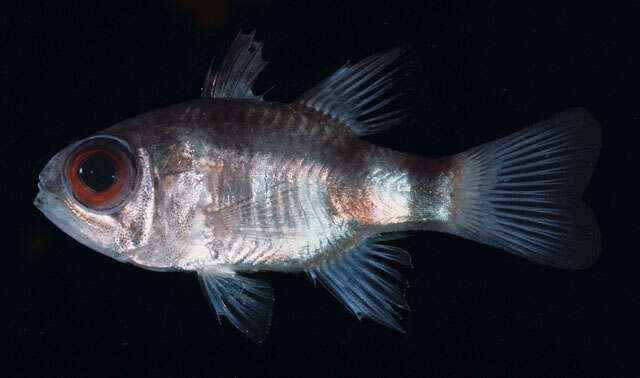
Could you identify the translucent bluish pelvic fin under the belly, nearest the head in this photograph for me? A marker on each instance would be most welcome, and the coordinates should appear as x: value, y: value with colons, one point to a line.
x: 246, y: 302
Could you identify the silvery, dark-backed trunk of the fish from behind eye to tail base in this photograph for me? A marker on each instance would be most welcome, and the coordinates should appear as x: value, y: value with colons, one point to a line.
x: 308, y: 188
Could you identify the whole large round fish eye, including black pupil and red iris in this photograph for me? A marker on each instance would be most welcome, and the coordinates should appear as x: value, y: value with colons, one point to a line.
x: 100, y: 173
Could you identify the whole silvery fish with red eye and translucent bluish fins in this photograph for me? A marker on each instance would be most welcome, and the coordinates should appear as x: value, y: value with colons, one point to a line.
x: 230, y: 184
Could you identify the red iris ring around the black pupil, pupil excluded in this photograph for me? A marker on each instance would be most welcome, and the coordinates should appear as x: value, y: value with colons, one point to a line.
x: 114, y: 195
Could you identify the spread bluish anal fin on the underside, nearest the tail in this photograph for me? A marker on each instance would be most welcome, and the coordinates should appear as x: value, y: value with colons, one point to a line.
x: 364, y: 281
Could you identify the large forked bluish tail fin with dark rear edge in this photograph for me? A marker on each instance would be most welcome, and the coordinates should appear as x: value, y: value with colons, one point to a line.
x: 522, y: 193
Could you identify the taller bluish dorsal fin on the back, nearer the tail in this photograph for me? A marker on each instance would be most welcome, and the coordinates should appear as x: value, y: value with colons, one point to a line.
x: 355, y: 94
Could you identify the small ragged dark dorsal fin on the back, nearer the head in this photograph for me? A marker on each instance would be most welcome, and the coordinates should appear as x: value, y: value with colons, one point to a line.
x: 239, y: 70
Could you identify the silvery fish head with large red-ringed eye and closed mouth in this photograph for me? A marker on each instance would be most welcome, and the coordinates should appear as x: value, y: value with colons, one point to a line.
x: 100, y: 192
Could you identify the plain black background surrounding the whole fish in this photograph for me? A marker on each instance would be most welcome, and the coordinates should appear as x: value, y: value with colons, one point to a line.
x: 482, y: 71
